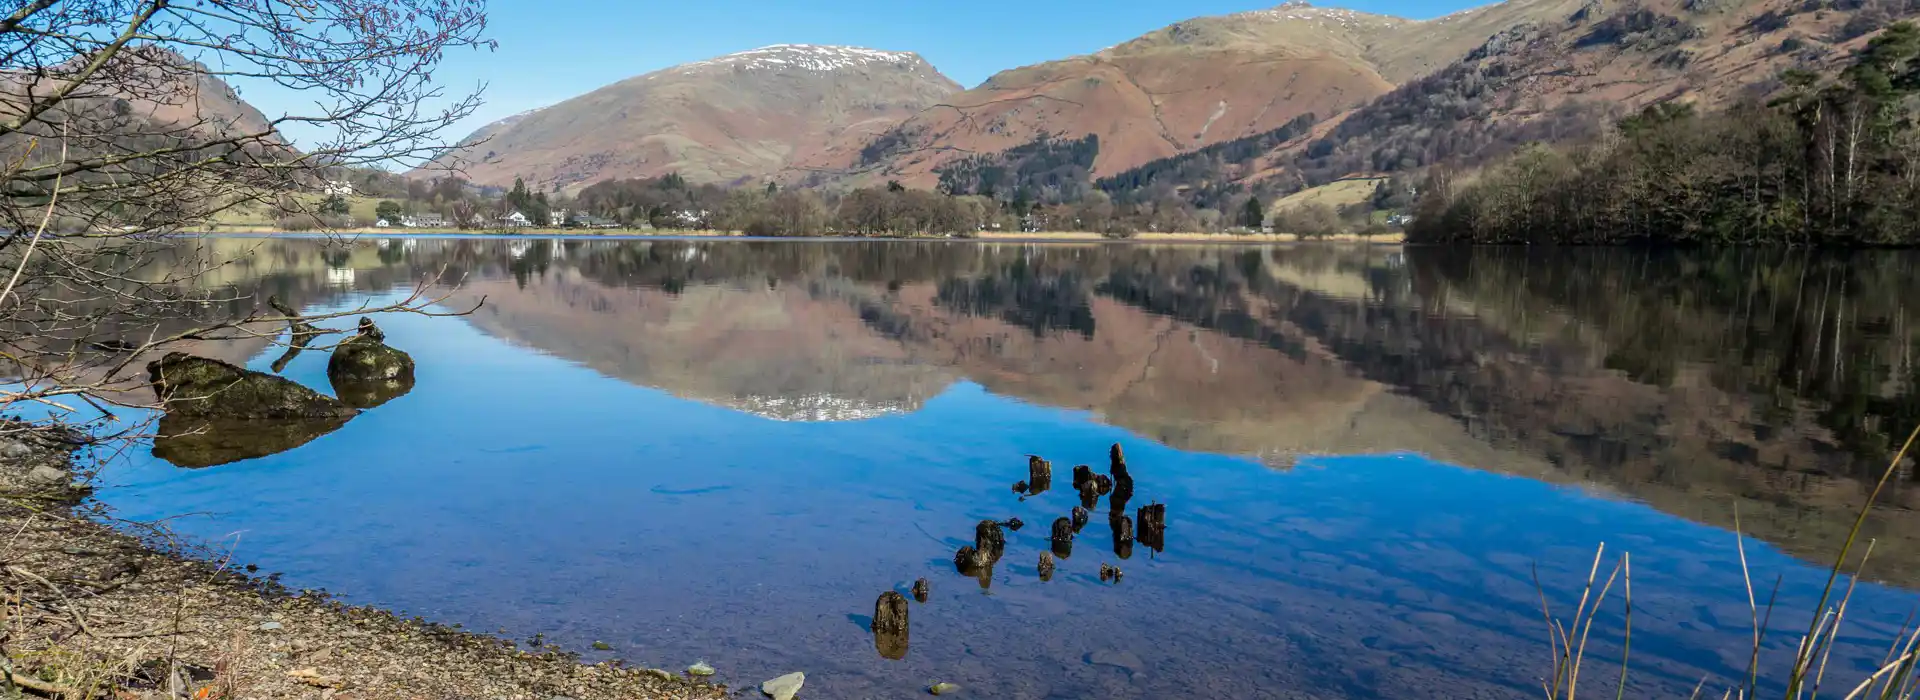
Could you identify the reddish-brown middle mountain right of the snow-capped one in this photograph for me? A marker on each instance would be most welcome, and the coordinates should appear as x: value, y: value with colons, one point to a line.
x: 1191, y: 85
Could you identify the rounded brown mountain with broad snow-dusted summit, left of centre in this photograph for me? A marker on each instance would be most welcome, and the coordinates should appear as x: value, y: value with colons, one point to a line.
x: 734, y: 118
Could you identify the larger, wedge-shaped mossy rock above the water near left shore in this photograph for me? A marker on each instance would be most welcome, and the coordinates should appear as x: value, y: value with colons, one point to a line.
x: 206, y: 388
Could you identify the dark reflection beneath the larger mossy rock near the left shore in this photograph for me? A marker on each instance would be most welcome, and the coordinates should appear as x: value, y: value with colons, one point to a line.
x: 203, y: 442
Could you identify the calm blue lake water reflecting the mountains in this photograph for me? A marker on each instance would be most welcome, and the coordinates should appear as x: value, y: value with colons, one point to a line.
x: 727, y: 450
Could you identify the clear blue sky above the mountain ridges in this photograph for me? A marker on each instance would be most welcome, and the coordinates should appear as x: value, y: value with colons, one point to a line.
x: 552, y: 51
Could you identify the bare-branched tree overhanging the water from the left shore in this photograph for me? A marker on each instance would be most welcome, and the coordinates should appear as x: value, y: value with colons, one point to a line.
x: 110, y: 135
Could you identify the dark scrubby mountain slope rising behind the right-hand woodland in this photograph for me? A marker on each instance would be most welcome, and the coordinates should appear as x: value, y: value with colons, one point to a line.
x: 1570, y: 76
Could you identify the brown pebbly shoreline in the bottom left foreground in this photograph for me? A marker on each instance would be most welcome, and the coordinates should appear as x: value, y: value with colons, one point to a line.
x: 97, y: 613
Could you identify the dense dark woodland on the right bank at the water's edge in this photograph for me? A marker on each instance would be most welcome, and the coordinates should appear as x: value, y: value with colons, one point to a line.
x: 1827, y: 162
